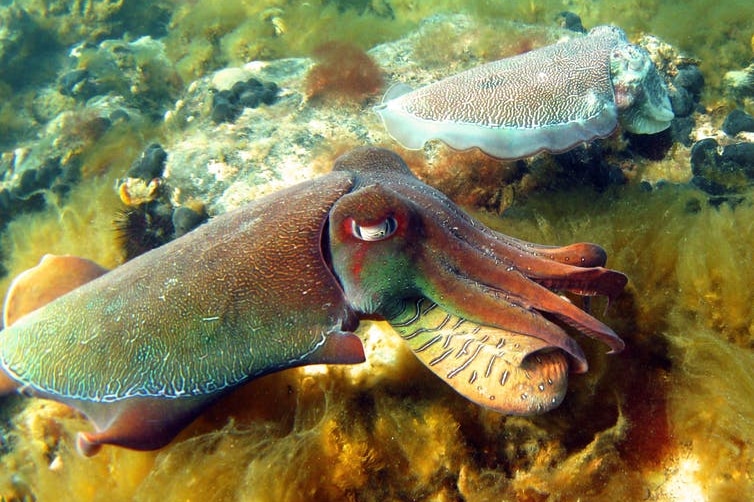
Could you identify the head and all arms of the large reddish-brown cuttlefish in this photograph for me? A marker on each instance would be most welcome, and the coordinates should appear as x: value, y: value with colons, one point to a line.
x: 396, y: 243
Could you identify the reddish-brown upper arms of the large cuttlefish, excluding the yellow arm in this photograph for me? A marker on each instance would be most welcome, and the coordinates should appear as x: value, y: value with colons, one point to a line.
x: 505, y: 277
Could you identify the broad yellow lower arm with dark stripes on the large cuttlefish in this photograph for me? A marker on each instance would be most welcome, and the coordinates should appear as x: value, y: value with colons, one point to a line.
x: 500, y: 369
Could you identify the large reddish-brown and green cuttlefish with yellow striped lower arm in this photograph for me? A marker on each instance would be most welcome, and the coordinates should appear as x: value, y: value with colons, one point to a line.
x: 282, y: 282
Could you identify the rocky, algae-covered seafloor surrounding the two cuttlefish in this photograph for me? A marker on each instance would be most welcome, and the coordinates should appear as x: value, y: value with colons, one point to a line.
x: 87, y: 87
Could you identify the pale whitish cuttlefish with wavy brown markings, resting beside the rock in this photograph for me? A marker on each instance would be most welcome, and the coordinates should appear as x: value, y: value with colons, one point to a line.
x: 550, y: 99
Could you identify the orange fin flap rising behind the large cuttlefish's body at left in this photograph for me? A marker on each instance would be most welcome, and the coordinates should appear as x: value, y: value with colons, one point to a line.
x: 54, y: 276
